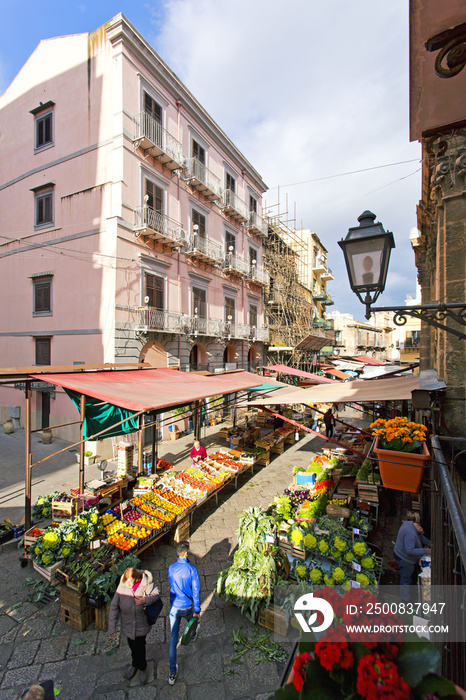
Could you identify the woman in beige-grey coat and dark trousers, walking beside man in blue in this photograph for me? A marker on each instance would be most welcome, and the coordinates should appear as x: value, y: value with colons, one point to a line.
x: 135, y: 590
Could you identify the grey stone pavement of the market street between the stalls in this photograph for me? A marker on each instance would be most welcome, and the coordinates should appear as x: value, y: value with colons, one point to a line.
x: 35, y: 645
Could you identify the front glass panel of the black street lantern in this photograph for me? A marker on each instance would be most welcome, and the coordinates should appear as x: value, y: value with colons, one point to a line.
x: 365, y: 260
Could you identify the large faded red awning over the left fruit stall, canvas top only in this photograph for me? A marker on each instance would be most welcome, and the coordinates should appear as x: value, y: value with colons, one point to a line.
x: 151, y: 389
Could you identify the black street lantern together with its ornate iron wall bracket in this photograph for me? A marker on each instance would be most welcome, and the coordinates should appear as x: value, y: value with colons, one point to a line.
x: 367, y: 249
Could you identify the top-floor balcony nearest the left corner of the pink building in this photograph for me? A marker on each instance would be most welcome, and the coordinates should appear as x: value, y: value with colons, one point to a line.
x: 152, y: 137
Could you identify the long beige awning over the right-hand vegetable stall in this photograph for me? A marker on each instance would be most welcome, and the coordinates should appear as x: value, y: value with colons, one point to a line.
x: 395, y: 389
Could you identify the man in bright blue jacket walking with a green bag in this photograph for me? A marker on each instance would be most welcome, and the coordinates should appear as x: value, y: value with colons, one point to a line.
x: 184, y: 600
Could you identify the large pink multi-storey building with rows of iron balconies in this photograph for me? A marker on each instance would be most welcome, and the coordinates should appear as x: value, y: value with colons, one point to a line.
x: 131, y: 225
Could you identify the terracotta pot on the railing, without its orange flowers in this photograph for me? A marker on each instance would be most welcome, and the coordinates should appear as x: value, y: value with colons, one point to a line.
x: 402, y: 471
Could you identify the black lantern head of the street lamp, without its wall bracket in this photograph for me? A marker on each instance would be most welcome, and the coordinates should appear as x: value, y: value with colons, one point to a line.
x: 367, y: 249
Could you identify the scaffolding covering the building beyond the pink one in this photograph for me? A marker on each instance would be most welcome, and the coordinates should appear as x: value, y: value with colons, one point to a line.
x: 289, y: 306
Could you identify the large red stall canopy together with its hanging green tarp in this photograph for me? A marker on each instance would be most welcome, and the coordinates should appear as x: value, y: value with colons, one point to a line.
x: 115, y: 396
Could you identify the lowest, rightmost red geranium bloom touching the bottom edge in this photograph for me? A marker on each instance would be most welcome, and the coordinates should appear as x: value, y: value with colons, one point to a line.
x: 377, y: 677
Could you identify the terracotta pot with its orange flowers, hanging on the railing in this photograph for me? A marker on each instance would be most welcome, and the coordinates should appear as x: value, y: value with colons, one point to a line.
x: 402, y: 452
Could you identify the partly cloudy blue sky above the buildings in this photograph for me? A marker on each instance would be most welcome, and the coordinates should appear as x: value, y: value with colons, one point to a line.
x: 315, y: 95
